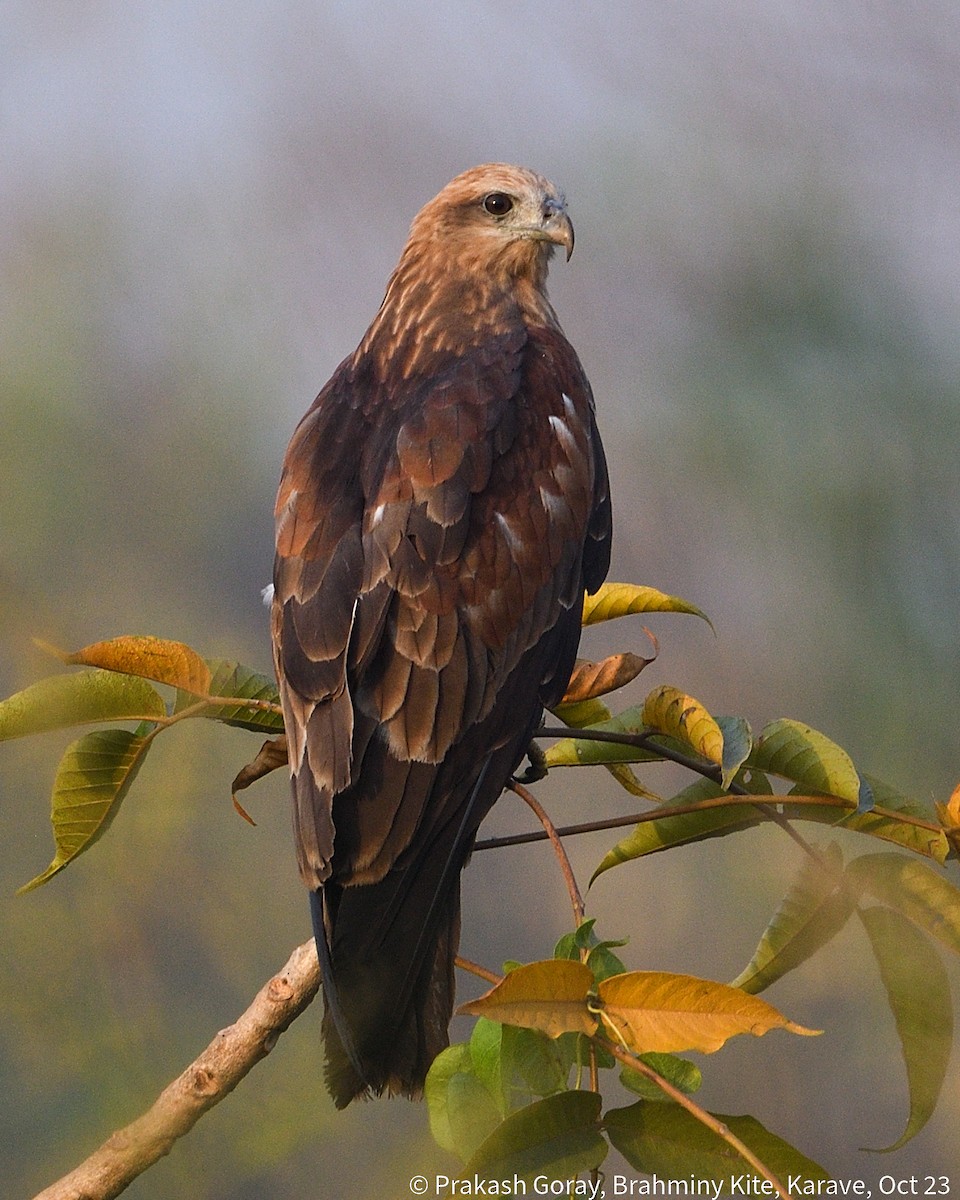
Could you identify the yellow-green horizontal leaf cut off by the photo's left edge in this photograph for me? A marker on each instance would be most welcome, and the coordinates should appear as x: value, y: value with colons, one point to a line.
x: 61, y: 701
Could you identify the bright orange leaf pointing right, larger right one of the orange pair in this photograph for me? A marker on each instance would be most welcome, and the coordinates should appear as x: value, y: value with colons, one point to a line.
x: 653, y: 1011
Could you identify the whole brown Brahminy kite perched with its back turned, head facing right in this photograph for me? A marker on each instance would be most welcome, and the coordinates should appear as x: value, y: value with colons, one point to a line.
x: 442, y: 509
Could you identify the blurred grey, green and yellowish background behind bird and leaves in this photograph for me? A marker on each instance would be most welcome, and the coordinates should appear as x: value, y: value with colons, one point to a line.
x: 201, y: 206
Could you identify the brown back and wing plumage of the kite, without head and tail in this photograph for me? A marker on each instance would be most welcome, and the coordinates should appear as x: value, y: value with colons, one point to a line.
x: 421, y: 556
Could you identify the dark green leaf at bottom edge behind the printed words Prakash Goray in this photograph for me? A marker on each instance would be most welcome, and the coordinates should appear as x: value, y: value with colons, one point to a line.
x: 559, y: 1138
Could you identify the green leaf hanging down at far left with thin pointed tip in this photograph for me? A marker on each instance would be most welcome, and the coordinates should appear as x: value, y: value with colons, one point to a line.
x: 92, y: 781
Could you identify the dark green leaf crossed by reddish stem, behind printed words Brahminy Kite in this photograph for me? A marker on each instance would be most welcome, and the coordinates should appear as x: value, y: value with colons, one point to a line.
x: 669, y: 1142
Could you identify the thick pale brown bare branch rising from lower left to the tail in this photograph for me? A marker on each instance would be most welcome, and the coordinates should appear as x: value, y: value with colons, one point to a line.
x: 233, y: 1054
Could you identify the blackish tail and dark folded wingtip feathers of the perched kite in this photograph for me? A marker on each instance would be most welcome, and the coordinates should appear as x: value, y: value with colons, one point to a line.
x: 389, y: 947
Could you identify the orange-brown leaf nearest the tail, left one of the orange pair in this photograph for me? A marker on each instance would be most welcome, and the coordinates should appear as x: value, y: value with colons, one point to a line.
x: 549, y: 997
